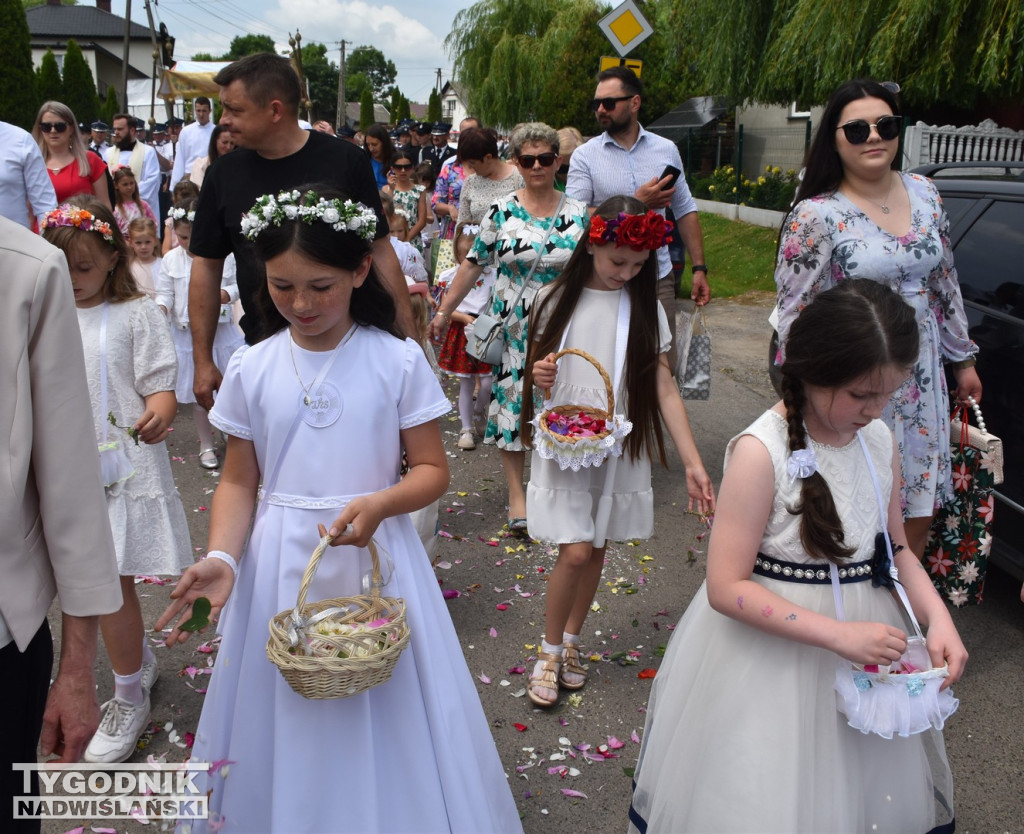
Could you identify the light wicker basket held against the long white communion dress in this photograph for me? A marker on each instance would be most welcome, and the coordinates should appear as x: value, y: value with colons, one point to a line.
x: 323, y: 665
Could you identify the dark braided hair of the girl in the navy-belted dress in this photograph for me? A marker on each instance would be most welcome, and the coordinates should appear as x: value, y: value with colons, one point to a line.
x: 851, y: 330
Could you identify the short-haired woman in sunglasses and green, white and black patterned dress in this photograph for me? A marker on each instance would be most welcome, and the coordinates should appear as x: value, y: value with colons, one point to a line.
x: 535, y: 225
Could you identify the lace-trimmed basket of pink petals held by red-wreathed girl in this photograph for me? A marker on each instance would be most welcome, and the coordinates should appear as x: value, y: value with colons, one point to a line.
x: 578, y: 437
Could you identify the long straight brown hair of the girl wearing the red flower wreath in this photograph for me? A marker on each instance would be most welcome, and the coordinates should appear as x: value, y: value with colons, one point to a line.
x: 642, y: 347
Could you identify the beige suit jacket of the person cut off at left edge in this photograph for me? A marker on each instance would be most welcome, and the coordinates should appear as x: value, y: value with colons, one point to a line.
x: 55, y: 533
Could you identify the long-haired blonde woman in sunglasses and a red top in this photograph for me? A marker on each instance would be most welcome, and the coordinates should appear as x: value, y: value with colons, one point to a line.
x: 73, y: 169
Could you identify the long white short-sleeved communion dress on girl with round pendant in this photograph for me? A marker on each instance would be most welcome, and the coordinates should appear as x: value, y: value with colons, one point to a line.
x: 413, y: 755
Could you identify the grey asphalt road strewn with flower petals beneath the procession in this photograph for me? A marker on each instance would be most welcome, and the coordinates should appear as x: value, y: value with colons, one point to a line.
x: 647, y: 587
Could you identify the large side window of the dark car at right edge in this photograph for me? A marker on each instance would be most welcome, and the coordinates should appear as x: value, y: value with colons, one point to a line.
x: 989, y: 259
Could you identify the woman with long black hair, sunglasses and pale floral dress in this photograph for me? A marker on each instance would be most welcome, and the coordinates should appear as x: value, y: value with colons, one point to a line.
x: 858, y: 216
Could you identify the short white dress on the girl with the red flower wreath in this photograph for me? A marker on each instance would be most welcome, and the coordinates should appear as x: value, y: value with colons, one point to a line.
x: 562, y: 505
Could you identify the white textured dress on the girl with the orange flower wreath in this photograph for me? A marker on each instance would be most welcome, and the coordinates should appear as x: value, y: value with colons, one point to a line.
x: 151, y: 534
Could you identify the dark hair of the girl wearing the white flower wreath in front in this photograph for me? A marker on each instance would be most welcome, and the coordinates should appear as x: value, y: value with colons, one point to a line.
x: 371, y: 305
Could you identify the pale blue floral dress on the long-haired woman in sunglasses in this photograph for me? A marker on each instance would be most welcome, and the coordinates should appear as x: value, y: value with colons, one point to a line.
x: 826, y: 240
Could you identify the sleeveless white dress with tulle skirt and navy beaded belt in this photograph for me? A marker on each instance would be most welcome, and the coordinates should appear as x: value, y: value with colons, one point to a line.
x: 743, y: 733
